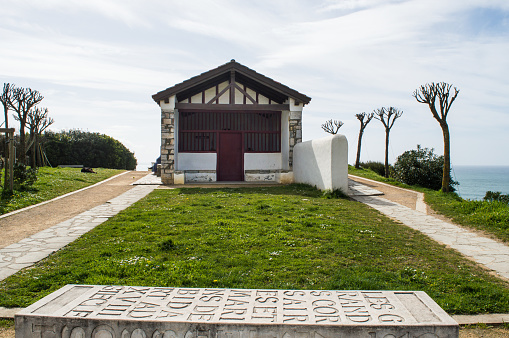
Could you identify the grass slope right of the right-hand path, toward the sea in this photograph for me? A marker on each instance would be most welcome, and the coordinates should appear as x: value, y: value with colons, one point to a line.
x: 491, y: 217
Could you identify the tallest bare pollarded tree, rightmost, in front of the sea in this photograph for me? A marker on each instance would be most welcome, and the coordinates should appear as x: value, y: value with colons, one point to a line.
x: 428, y: 94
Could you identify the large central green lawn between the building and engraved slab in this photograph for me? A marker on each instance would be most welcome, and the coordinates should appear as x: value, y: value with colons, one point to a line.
x: 274, y: 237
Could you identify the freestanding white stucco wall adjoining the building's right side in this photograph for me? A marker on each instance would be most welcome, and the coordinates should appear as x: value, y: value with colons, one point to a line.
x: 322, y: 163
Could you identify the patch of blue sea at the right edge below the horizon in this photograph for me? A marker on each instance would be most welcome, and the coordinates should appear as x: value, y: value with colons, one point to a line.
x: 476, y: 180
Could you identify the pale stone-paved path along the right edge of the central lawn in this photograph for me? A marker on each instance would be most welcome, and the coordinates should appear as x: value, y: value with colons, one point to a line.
x: 483, y: 250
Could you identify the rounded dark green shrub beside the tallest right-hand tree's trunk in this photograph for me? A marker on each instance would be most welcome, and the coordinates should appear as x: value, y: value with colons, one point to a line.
x: 421, y: 167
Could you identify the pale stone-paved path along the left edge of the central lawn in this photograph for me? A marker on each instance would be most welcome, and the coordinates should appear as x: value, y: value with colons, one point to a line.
x: 30, y: 250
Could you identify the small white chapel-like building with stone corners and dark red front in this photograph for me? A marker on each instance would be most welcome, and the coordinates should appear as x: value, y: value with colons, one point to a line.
x: 229, y: 124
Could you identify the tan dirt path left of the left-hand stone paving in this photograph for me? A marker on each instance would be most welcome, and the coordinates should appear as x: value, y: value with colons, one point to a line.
x: 29, y: 222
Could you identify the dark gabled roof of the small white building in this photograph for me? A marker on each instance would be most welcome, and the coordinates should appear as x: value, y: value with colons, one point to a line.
x: 244, y: 75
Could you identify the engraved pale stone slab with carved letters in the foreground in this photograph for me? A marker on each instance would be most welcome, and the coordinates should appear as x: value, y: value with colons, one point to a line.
x: 77, y: 311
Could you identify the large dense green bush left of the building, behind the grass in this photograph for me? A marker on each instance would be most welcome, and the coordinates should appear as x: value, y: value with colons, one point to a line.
x: 88, y: 149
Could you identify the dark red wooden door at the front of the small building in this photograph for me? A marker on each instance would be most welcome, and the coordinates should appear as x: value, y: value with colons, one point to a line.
x: 230, y: 161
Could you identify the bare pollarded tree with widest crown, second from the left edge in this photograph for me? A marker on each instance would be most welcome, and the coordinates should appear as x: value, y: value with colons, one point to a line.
x: 23, y: 100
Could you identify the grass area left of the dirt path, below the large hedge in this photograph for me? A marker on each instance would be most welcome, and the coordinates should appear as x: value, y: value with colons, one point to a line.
x: 51, y: 183
